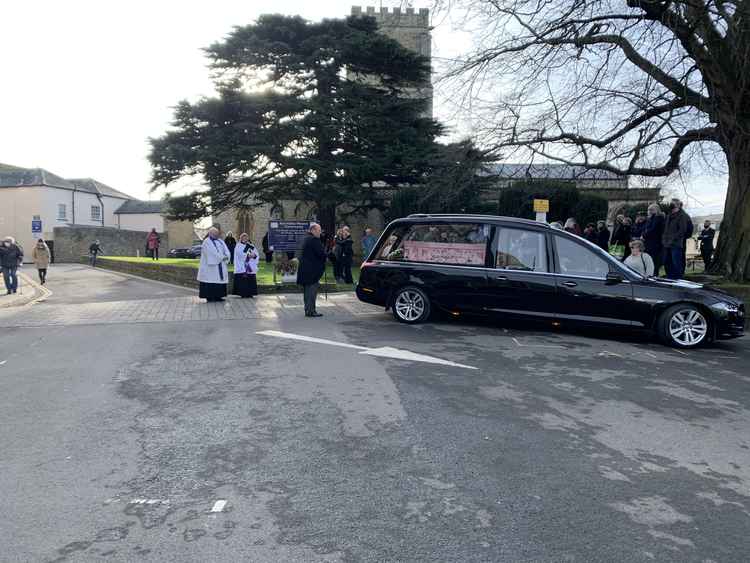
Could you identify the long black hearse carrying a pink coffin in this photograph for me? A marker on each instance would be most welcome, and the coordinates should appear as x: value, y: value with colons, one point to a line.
x: 521, y: 269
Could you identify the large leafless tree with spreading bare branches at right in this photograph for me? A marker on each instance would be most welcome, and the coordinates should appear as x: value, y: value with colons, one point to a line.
x: 635, y: 87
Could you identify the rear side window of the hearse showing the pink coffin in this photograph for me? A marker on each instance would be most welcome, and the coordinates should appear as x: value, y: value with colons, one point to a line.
x: 463, y: 244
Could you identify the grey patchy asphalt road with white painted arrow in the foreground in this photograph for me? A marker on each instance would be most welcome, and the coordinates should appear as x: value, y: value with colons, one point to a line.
x: 202, y: 440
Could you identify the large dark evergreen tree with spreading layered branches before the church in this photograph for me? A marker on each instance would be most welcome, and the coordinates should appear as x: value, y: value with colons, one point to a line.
x: 306, y: 111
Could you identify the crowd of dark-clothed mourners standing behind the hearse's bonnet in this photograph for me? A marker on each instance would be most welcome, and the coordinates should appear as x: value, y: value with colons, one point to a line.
x: 653, y: 240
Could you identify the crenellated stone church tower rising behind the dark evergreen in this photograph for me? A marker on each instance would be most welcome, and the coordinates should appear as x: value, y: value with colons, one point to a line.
x: 410, y: 28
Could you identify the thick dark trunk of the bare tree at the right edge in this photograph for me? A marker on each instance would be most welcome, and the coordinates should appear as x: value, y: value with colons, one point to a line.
x: 733, y: 250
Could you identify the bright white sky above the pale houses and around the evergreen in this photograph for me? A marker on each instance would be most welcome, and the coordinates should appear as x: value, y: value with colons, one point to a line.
x: 85, y: 83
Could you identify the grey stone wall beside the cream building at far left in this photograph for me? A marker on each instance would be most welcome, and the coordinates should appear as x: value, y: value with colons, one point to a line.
x: 72, y: 243
